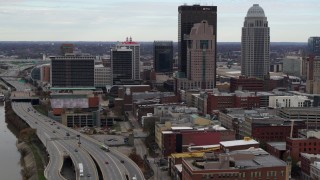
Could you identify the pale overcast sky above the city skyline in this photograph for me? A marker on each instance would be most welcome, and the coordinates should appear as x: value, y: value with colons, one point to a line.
x: 147, y: 20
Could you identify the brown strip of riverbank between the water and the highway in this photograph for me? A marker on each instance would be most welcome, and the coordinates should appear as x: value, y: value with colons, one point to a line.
x: 33, y: 154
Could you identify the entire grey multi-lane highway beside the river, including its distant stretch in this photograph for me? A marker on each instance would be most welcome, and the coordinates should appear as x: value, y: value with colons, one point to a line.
x: 113, y: 165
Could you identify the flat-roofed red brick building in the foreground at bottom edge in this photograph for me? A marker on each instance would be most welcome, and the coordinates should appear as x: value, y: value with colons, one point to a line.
x: 243, y: 164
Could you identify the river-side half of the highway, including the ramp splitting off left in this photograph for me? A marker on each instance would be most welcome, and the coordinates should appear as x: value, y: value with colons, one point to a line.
x: 56, y: 141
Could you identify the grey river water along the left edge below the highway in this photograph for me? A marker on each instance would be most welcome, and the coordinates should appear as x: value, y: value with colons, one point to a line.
x: 9, y: 154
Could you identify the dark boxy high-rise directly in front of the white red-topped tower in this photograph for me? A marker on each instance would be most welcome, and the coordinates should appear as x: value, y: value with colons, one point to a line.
x: 122, y: 64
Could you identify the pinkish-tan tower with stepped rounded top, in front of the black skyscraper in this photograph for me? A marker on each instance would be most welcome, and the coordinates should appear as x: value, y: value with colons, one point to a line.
x: 201, y: 59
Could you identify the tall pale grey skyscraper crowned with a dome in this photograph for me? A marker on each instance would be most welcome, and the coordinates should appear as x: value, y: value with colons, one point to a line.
x: 255, y: 44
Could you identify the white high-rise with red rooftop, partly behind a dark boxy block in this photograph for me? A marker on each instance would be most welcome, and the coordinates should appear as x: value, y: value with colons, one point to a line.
x: 135, y: 47
